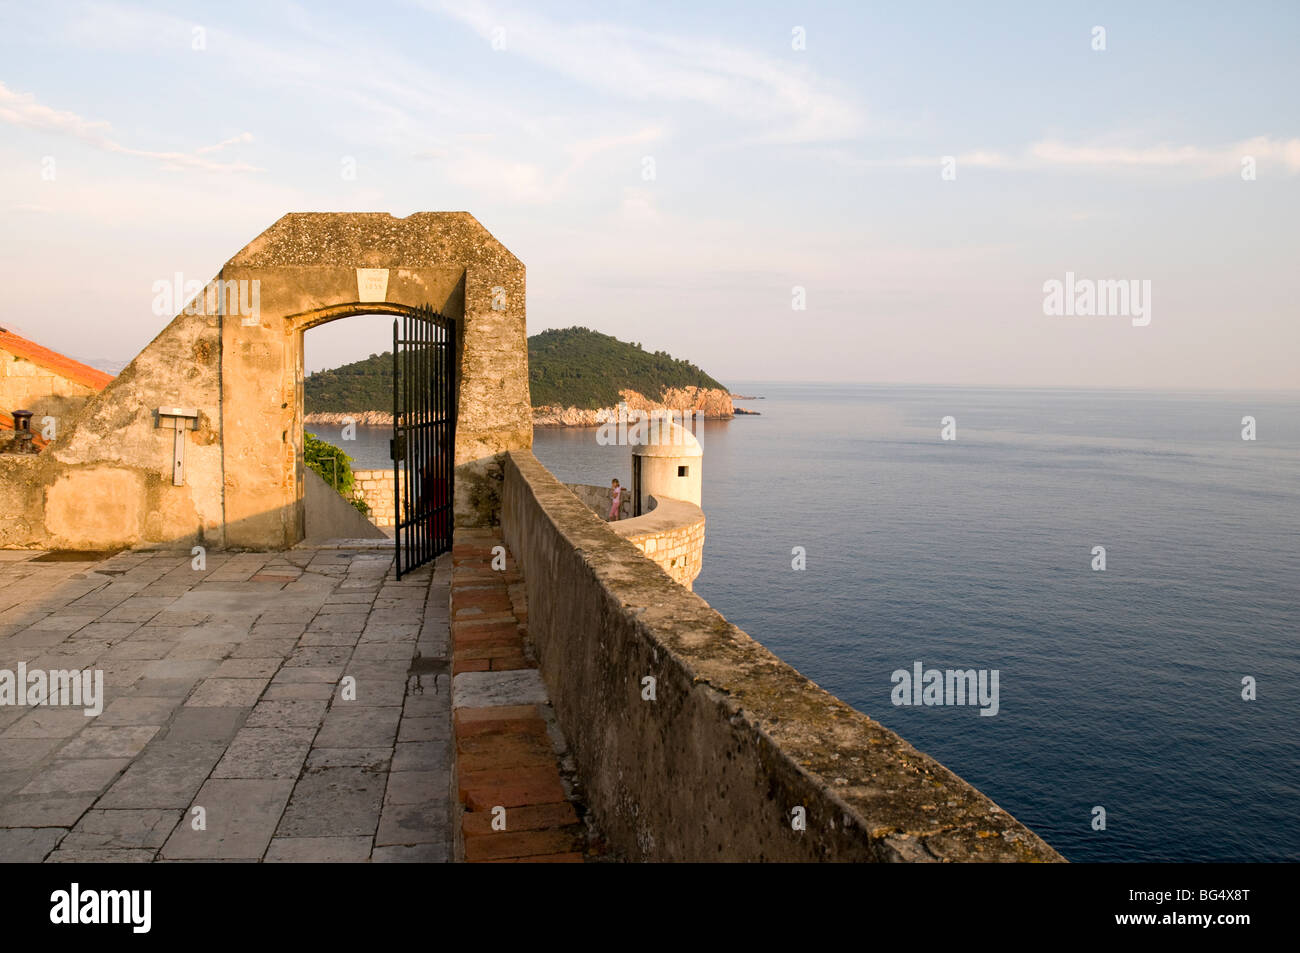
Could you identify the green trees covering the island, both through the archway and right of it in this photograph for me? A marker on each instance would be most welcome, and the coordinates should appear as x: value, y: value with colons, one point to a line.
x: 574, y: 367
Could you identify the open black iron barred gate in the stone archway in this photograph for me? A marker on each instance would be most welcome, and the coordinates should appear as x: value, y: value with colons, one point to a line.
x: 424, y: 439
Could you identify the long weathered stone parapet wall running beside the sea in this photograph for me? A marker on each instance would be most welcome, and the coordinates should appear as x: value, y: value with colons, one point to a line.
x: 694, y: 742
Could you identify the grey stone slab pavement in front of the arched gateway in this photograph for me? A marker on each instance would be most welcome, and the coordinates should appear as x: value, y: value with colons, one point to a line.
x: 301, y: 700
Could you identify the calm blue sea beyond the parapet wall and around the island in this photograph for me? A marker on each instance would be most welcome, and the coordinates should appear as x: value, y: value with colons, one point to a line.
x: 1149, y: 711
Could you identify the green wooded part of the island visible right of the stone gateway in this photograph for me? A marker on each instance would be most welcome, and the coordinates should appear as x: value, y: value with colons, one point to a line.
x: 578, y: 367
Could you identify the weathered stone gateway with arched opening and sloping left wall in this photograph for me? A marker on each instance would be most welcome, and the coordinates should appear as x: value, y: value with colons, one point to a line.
x: 231, y: 365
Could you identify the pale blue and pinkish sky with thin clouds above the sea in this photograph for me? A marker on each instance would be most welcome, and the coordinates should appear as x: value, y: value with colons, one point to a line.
x: 690, y: 175
